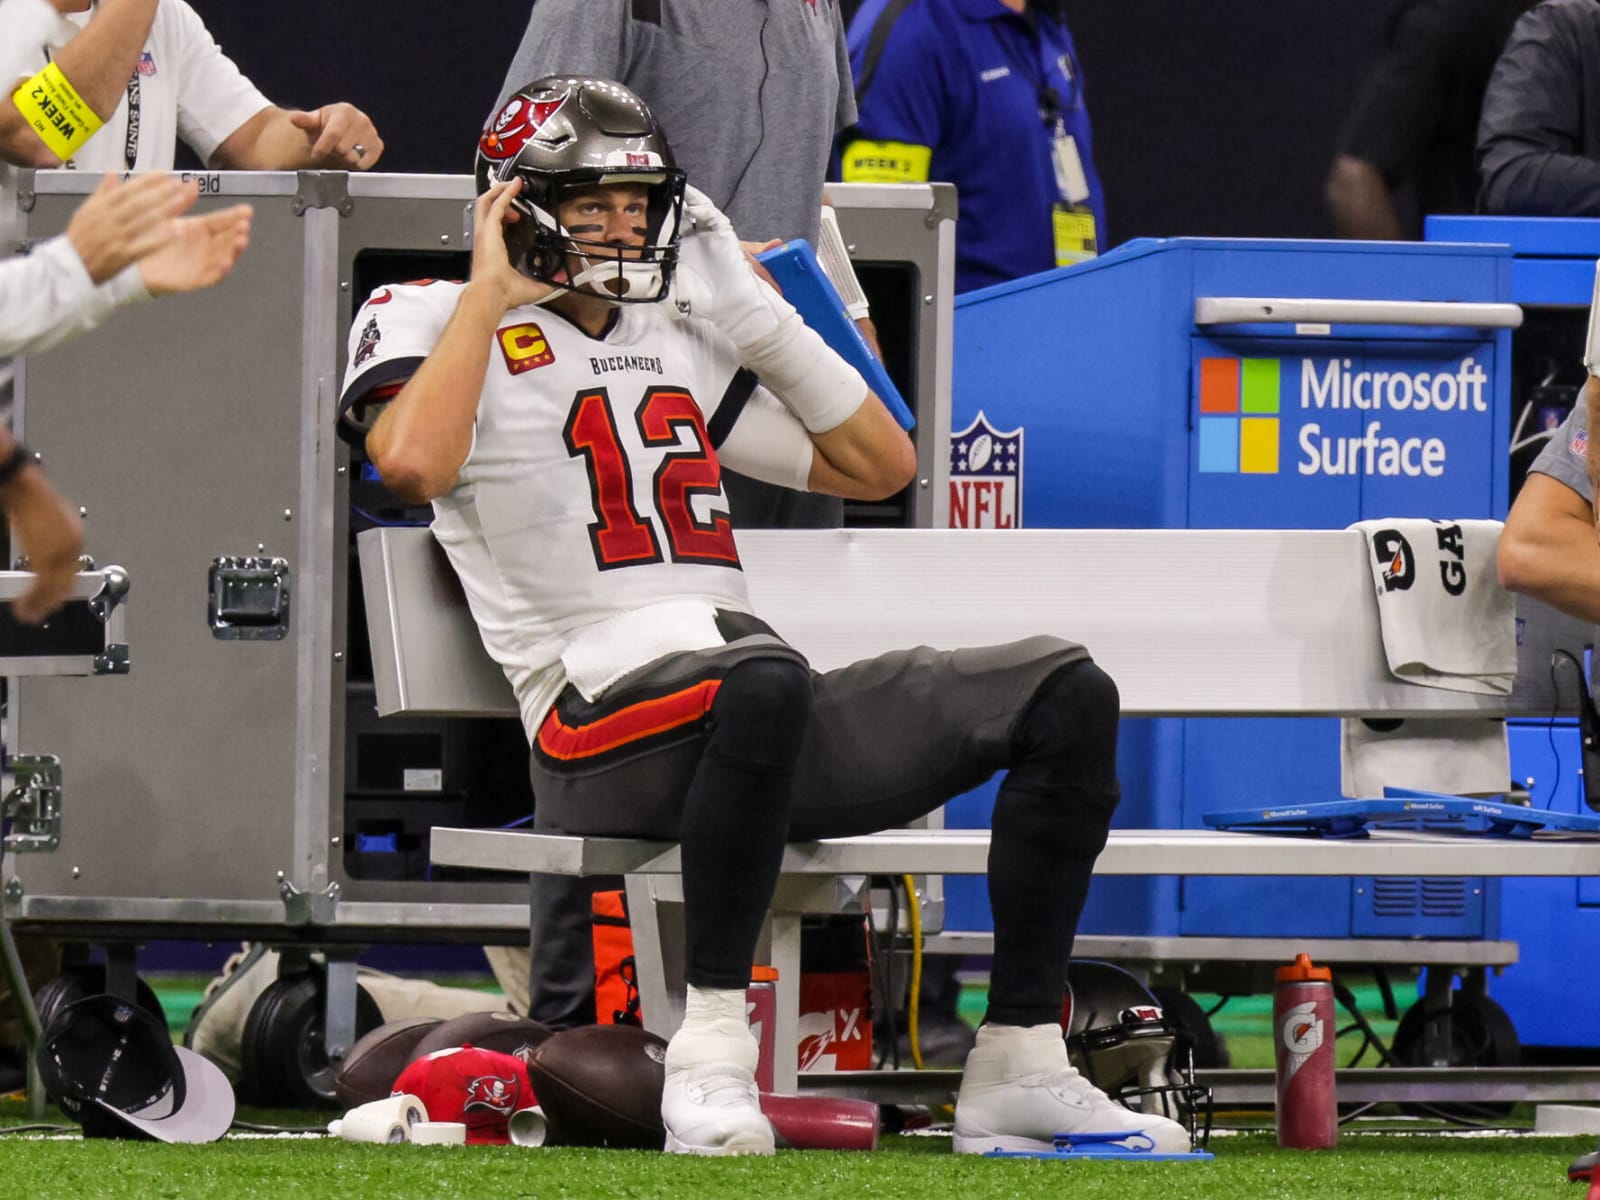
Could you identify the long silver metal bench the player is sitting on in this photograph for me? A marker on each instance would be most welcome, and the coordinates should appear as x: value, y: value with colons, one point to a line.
x: 1190, y: 623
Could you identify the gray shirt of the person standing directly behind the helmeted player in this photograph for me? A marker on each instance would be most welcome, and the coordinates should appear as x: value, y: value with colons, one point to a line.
x: 748, y: 92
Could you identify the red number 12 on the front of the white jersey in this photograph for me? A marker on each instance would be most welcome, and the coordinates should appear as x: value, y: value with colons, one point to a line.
x: 625, y: 537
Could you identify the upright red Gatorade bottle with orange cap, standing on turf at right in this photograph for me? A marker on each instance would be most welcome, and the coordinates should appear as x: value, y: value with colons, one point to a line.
x: 1308, y: 1114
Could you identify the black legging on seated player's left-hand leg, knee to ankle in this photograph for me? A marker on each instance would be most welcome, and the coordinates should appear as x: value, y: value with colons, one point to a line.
x: 737, y: 815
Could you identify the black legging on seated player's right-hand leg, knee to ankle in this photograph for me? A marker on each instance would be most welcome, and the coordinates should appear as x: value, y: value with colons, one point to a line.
x: 1050, y: 823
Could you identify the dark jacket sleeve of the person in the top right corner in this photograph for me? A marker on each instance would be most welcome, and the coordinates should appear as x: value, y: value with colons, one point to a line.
x: 1530, y: 135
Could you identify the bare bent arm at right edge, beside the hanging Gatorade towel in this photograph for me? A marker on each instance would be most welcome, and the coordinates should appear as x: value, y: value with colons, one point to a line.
x: 1550, y: 551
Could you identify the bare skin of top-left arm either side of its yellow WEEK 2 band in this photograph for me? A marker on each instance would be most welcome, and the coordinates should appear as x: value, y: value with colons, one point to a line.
x: 97, y: 63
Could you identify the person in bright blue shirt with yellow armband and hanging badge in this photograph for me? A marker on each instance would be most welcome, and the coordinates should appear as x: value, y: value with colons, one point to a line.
x: 986, y: 95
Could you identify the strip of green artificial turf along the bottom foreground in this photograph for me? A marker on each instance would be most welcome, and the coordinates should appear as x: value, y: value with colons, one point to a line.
x: 1250, y: 1167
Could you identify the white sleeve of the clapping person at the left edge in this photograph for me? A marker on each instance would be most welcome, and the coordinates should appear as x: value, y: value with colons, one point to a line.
x: 47, y: 298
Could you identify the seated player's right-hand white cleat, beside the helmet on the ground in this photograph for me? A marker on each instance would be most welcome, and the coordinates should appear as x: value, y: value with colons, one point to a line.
x: 1020, y: 1092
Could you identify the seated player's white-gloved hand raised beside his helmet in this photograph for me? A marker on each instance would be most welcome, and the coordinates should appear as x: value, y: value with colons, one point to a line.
x: 714, y: 278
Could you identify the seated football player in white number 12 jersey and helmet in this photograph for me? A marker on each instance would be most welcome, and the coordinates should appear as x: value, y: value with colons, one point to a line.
x: 566, y: 412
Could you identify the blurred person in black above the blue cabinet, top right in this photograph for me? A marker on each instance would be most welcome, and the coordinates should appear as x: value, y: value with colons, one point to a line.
x: 1409, y: 146
